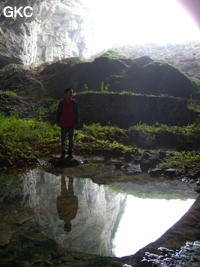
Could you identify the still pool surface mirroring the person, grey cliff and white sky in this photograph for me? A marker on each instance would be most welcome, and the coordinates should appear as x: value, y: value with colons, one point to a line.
x: 109, y: 220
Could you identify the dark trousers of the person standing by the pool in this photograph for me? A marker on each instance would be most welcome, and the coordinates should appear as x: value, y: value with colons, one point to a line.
x: 64, y: 131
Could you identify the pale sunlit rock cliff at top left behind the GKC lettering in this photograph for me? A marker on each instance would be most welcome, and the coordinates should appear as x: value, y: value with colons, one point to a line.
x: 57, y: 29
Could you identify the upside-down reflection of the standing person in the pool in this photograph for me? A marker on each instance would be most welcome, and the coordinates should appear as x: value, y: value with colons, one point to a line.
x: 67, y: 203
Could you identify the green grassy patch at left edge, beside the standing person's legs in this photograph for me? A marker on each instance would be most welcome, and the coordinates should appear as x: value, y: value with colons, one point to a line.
x: 24, y: 138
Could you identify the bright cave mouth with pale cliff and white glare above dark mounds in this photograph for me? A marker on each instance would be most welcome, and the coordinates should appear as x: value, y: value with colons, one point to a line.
x: 83, y: 28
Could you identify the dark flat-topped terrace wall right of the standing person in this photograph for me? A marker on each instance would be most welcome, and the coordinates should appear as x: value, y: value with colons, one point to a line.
x: 127, y: 110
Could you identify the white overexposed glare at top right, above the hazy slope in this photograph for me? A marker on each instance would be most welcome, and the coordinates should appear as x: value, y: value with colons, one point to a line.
x: 117, y: 22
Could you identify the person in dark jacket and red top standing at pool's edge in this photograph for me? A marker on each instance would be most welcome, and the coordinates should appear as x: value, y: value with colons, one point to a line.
x: 67, y: 117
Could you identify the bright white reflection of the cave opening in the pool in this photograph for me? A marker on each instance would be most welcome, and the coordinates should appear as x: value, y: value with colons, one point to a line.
x: 145, y: 220
